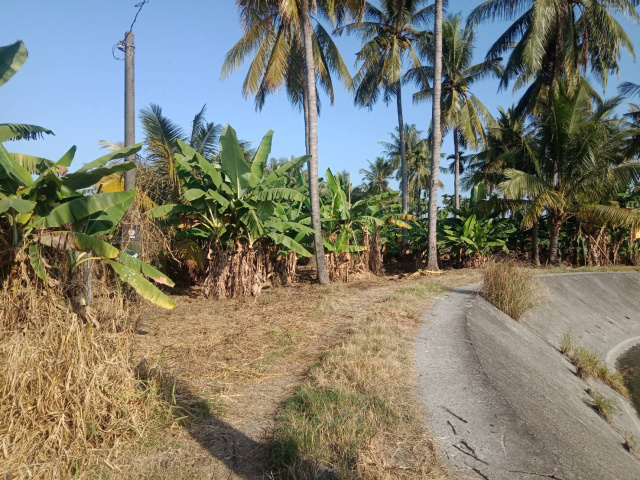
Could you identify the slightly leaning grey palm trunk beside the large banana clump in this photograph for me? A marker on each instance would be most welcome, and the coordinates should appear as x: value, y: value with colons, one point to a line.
x: 310, y: 90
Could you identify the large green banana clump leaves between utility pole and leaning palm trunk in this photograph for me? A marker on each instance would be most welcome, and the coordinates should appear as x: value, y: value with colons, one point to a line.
x: 234, y: 200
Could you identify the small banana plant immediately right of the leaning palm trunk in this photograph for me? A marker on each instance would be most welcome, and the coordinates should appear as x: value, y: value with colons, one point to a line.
x: 342, y: 221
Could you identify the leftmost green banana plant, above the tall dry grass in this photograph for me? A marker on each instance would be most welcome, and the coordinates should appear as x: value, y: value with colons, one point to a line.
x: 54, y: 210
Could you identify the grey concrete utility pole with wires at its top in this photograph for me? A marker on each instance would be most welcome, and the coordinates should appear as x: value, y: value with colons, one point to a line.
x: 129, y: 106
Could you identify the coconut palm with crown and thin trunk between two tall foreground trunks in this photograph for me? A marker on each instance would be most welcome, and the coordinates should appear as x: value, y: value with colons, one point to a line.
x: 389, y: 34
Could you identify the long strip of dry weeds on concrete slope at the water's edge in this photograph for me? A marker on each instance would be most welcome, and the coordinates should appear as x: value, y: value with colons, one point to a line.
x: 588, y: 365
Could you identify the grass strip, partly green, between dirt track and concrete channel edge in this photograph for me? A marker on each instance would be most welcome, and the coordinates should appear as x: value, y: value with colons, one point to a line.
x: 357, y: 416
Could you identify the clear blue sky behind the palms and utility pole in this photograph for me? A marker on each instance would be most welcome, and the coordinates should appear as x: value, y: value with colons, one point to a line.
x: 73, y: 85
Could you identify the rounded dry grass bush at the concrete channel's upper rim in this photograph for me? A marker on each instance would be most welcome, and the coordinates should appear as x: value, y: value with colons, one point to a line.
x: 509, y: 287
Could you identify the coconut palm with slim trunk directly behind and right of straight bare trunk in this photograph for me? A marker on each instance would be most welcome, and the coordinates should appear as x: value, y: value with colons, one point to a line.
x: 462, y: 112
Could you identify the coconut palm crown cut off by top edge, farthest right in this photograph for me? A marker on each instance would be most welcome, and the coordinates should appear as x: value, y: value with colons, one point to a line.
x: 550, y: 40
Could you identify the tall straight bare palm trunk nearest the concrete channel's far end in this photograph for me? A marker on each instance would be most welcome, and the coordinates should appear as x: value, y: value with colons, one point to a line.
x: 432, y: 254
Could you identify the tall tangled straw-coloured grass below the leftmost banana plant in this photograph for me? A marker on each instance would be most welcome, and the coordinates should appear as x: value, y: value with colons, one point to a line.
x: 69, y: 398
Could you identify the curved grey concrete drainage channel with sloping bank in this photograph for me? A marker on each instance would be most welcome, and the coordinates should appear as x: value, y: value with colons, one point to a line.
x: 503, y: 401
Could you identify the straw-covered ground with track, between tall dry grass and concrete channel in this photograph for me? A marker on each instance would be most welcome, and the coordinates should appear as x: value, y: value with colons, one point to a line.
x: 232, y: 365
